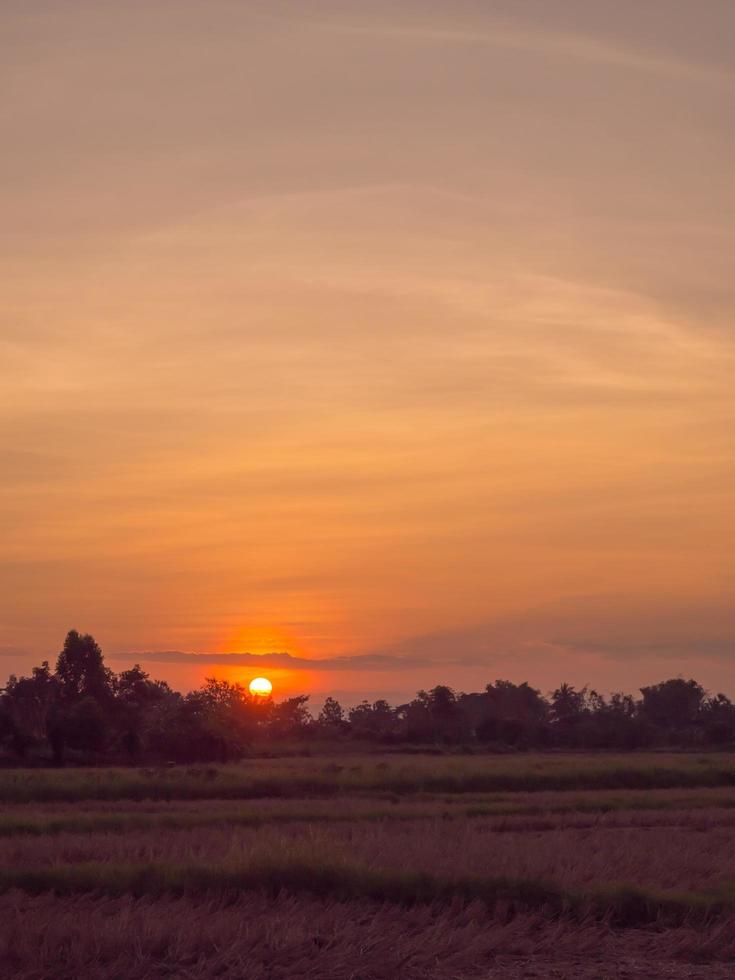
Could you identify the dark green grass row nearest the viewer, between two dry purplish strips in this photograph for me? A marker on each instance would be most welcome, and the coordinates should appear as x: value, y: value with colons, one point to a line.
x: 621, y: 905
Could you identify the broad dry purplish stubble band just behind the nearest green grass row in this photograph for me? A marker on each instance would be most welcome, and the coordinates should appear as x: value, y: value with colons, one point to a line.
x: 688, y: 855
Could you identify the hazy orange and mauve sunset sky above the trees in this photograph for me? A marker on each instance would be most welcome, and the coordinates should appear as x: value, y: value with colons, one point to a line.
x: 394, y: 337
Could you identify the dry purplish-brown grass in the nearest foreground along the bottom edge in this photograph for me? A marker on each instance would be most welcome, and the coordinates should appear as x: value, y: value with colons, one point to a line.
x: 286, y: 937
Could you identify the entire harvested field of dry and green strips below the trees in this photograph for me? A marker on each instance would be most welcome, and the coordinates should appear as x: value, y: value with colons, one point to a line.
x: 372, y: 867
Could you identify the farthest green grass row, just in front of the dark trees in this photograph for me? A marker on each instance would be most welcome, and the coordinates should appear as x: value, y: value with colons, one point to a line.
x: 240, y: 782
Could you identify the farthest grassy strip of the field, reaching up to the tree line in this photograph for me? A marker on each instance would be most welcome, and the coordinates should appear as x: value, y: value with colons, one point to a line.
x: 314, y: 777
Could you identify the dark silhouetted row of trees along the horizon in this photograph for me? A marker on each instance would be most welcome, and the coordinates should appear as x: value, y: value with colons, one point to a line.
x: 84, y: 712
